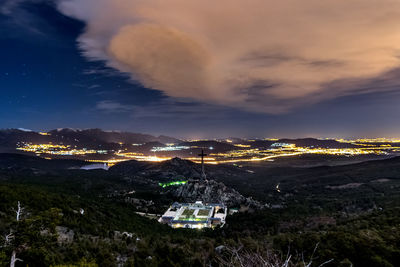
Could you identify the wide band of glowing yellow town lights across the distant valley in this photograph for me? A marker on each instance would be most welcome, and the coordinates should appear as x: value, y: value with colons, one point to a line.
x: 240, y: 152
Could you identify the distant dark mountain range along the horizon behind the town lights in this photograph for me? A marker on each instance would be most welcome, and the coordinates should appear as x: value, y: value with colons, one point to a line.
x: 97, y: 137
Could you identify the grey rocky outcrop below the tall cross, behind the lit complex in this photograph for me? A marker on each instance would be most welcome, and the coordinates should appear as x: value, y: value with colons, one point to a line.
x: 210, y: 191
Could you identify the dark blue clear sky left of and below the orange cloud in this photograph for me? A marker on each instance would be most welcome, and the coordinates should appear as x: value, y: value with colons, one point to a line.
x: 46, y: 83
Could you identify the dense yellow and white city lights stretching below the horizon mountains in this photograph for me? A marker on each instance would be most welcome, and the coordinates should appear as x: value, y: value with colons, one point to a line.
x: 244, y: 152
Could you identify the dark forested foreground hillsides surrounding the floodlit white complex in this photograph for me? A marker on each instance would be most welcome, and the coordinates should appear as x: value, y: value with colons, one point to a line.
x: 76, y: 217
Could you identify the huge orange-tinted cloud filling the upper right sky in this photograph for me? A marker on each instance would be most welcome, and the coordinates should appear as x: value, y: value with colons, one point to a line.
x: 258, y: 55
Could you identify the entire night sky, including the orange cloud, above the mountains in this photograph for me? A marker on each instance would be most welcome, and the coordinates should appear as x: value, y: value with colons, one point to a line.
x: 220, y: 71
